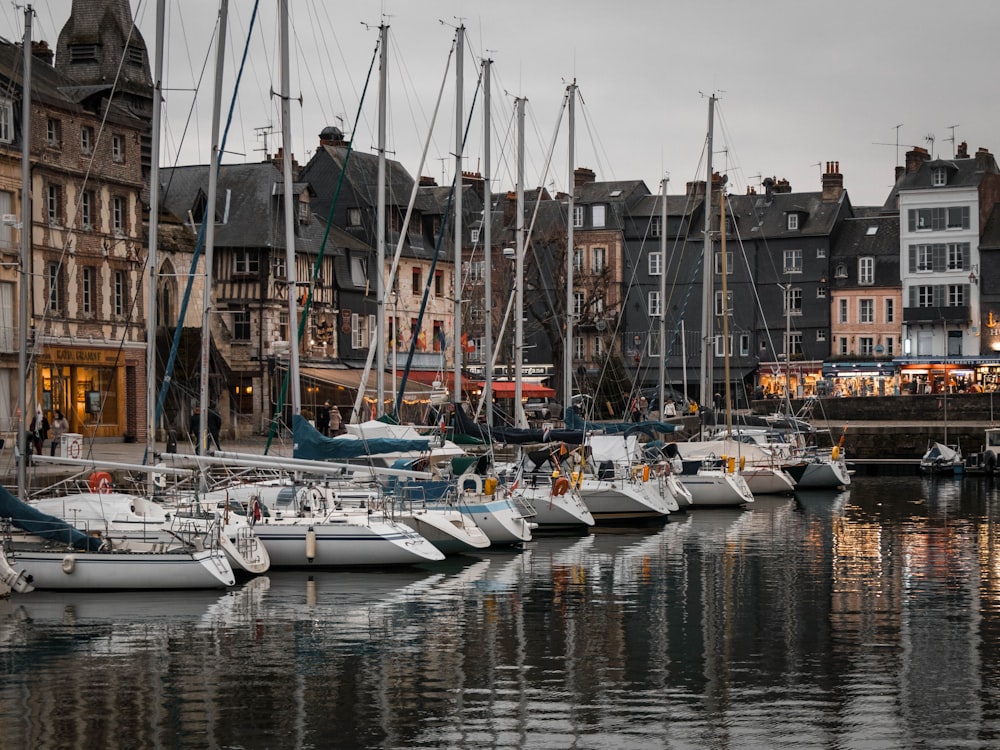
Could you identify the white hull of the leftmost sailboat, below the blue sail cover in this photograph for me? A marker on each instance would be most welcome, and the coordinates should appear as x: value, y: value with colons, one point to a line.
x: 106, y: 571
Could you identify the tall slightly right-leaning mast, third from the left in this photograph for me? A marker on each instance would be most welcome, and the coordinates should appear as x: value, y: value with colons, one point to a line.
x: 209, y: 219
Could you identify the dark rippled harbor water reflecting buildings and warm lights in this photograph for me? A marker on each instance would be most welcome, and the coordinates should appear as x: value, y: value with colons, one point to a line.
x: 862, y: 619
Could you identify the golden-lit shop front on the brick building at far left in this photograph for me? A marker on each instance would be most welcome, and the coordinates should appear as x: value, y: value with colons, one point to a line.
x: 93, y: 388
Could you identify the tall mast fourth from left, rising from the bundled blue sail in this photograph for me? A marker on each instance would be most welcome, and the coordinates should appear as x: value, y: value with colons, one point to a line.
x: 290, y: 215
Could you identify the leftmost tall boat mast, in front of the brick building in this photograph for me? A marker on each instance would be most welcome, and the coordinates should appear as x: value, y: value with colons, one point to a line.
x: 26, y: 230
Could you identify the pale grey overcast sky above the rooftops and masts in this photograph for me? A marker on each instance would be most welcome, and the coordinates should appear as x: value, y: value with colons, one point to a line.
x: 799, y: 83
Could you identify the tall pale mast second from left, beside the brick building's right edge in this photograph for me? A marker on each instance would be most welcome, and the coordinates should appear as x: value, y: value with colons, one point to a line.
x: 154, y: 230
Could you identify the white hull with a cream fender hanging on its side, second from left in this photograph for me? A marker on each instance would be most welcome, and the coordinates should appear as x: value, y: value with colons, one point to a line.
x: 343, y: 540
